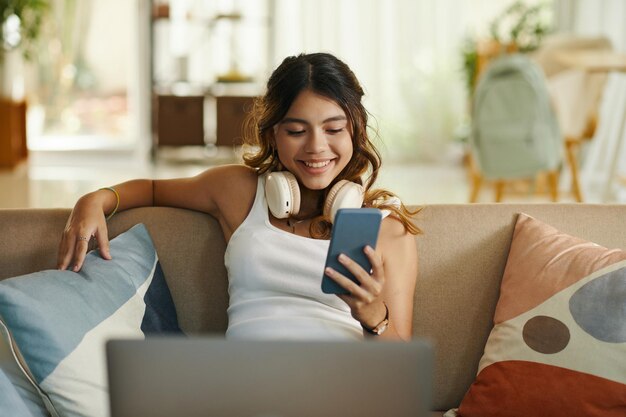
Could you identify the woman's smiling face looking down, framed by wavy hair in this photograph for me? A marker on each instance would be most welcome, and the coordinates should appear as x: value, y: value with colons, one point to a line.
x: 313, y: 140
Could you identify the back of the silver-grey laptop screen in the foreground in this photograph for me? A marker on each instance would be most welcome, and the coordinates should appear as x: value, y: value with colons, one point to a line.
x: 214, y: 377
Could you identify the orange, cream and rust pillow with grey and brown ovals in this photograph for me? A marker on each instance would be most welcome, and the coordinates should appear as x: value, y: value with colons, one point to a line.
x: 559, y: 338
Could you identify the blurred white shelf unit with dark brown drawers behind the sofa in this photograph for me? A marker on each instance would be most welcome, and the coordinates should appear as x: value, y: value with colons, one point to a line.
x: 204, y: 71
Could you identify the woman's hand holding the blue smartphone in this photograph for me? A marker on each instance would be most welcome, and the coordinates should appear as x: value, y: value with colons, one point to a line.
x: 365, y: 297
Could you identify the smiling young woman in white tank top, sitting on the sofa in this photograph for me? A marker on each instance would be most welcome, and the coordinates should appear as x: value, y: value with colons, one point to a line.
x: 308, y: 133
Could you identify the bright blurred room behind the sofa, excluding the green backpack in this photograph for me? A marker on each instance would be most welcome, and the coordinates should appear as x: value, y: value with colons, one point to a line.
x: 96, y: 92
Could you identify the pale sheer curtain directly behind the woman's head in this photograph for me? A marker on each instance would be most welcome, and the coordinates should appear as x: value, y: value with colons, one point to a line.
x: 407, y: 55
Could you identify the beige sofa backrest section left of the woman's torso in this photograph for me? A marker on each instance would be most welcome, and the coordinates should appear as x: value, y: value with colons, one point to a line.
x: 190, y: 246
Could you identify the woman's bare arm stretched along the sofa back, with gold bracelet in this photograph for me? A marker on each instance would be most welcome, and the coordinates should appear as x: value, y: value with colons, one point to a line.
x: 211, y: 191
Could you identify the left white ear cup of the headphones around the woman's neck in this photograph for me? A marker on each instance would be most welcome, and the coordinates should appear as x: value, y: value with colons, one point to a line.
x: 282, y: 194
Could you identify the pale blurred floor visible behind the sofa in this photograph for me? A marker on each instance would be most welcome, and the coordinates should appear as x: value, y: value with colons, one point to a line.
x: 48, y: 180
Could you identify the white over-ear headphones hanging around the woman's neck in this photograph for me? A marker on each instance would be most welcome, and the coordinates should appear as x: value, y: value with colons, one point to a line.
x: 282, y: 193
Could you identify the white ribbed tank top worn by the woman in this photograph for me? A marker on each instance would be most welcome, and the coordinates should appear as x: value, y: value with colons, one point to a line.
x: 275, y: 284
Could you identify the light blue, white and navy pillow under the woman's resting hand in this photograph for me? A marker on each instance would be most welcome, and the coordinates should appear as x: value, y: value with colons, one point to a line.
x: 59, y: 321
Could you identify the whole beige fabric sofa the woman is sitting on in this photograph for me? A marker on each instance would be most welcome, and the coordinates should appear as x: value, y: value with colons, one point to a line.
x: 462, y: 254
